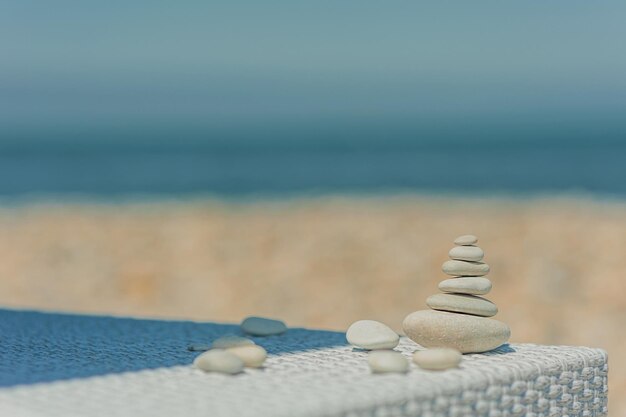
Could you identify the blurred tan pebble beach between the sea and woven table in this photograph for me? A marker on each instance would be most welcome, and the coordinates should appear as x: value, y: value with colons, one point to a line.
x: 556, y: 263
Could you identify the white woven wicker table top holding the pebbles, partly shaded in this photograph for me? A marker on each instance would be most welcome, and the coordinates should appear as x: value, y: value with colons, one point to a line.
x: 67, y: 365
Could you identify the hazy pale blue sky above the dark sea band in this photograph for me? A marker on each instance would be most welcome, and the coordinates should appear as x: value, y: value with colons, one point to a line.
x: 89, y: 66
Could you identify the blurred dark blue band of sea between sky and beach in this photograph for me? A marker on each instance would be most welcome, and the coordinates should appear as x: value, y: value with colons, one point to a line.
x: 233, y: 168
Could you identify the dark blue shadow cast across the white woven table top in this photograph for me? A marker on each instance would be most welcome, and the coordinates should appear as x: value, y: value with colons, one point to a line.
x: 43, y: 347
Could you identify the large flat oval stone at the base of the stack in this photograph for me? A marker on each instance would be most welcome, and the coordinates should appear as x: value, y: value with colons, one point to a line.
x: 467, y: 334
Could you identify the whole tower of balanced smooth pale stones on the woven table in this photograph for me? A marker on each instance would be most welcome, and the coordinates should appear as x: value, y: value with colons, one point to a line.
x: 459, y: 316
